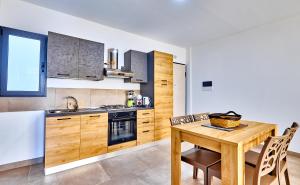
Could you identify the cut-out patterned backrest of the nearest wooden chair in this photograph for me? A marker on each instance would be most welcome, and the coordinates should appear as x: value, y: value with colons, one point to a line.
x: 269, y: 157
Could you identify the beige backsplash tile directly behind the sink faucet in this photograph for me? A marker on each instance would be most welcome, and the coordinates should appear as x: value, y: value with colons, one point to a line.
x: 82, y: 95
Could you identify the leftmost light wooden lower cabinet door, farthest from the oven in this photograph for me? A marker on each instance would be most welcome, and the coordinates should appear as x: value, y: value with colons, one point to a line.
x: 62, y: 140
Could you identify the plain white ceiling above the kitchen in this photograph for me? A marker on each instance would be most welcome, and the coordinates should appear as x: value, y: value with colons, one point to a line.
x: 180, y: 22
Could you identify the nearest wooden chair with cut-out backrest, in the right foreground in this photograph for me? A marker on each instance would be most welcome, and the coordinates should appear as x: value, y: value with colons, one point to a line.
x: 267, y: 170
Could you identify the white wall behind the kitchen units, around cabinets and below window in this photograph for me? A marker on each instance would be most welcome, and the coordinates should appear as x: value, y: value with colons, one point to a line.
x: 26, y: 16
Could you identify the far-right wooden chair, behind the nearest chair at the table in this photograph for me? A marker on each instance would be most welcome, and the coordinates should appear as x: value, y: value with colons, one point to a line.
x: 252, y: 157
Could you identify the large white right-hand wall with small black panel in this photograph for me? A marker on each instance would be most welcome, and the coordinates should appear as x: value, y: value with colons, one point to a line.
x: 255, y: 73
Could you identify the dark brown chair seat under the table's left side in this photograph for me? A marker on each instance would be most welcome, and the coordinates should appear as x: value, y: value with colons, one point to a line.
x: 200, y: 158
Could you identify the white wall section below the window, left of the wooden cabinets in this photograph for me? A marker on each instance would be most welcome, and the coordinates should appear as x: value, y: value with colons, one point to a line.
x: 21, y: 135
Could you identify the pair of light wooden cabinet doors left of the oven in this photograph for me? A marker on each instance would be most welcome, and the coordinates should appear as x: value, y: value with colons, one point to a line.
x: 71, y: 138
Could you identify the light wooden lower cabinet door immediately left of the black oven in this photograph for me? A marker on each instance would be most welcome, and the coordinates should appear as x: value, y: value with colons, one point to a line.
x: 93, y: 135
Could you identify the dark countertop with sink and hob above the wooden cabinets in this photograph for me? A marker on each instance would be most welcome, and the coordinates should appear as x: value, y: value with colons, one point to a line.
x: 64, y: 112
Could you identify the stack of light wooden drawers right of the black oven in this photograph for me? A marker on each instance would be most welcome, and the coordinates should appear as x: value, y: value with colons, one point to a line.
x: 145, y: 126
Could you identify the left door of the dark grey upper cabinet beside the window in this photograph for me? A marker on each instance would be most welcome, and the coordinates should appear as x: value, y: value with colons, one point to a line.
x: 62, y: 56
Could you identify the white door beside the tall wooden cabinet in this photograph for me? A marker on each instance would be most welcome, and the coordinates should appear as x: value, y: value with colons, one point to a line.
x: 179, y: 89
